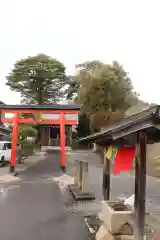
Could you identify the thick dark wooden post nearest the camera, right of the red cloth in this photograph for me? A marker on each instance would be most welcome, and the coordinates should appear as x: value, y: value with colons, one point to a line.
x: 140, y: 185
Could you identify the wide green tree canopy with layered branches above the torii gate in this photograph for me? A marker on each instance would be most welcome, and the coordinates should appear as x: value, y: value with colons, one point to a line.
x: 39, y: 79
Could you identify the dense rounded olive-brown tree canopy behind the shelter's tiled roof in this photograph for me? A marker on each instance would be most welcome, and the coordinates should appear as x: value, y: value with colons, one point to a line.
x: 104, y: 90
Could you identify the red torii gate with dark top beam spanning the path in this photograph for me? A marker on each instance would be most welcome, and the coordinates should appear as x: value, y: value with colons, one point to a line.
x: 50, y: 114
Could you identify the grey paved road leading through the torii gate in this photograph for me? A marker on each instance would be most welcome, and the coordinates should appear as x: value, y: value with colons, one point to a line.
x: 35, y: 209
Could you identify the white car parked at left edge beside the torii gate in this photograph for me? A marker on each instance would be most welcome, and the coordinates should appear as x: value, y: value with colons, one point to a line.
x: 5, y: 151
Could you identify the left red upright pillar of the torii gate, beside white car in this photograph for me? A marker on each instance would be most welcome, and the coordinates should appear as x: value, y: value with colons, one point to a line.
x: 14, y: 143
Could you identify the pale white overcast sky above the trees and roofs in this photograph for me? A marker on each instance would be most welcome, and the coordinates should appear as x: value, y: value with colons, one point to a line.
x: 75, y: 31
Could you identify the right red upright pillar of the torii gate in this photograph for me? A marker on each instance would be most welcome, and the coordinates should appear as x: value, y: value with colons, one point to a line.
x: 62, y: 142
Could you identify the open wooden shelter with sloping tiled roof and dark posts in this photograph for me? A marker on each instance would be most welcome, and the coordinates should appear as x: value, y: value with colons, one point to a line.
x: 139, y: 129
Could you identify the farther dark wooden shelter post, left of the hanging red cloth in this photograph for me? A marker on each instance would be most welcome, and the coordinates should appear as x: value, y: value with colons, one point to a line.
x: 106, y: 178
